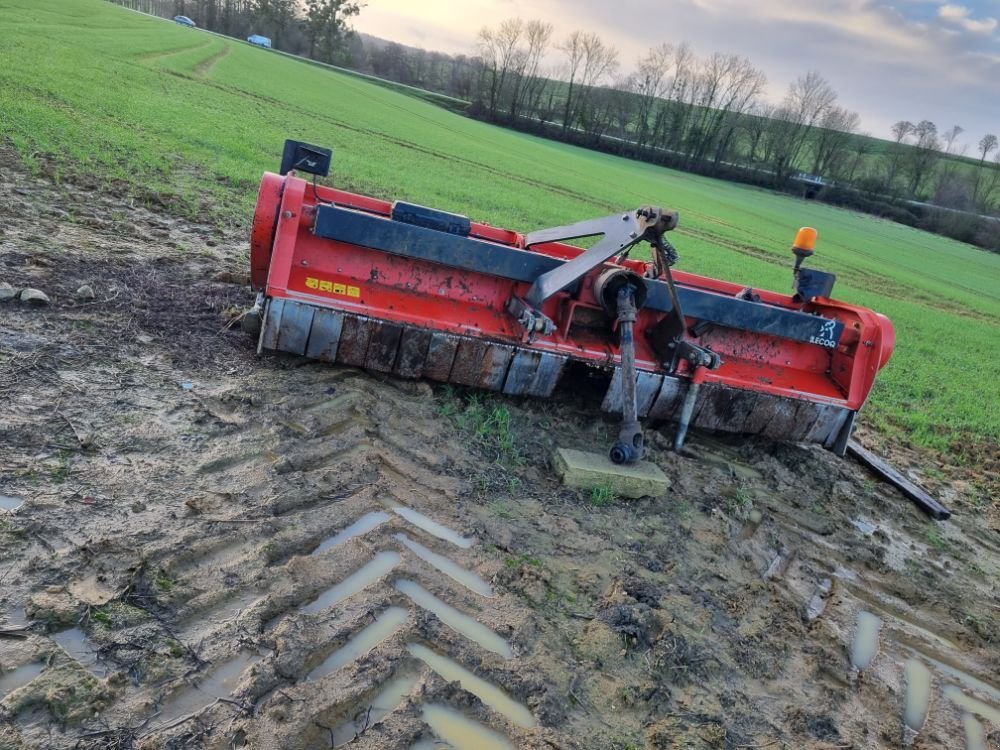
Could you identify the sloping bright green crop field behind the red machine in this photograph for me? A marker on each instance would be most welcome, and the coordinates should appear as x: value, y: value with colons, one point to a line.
x: 182, y: 117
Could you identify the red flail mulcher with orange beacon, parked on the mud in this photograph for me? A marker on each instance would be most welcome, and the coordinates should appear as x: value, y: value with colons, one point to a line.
x: 421, y: 293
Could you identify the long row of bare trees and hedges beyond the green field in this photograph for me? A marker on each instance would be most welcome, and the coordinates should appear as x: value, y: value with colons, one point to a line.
x: 706, y: 114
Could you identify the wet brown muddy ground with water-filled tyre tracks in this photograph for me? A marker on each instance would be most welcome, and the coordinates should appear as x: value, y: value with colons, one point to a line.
x: 181, y: 567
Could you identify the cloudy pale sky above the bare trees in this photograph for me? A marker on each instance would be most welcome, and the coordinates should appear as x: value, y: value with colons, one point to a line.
x: 889, y: 61
